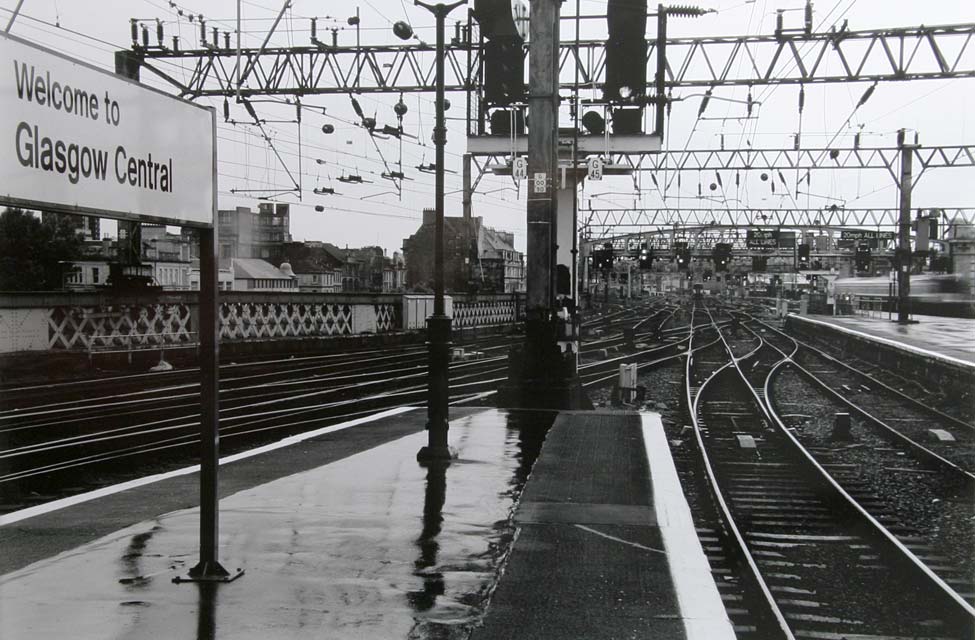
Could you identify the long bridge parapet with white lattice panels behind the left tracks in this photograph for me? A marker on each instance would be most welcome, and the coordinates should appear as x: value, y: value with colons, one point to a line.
x: 67, y: 322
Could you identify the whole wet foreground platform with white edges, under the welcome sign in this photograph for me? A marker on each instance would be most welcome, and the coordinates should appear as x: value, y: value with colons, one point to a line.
x: 342, y: 534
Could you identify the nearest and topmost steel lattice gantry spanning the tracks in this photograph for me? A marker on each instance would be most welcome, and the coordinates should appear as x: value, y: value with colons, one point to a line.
x: 916, y: 53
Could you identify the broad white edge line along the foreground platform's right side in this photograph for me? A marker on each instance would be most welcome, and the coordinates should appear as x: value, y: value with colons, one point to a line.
x: 701, y: 609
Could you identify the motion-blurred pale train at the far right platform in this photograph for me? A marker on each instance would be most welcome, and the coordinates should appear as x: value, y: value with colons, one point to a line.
x: 931, y: 294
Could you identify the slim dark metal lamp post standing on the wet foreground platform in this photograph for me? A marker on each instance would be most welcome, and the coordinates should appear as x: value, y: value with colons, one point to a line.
x: 438, y: 325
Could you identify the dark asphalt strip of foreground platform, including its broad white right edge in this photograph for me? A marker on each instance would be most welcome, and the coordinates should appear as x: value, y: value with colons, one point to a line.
x: 606, y: 545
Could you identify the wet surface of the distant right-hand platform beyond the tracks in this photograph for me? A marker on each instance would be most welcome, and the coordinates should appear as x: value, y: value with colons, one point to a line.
x: 950, y: 338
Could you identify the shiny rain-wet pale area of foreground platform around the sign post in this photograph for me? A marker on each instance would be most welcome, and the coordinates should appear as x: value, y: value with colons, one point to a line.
x: 372, y: 546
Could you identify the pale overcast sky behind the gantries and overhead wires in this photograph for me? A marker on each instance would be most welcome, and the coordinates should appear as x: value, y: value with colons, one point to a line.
x: 942, y: 112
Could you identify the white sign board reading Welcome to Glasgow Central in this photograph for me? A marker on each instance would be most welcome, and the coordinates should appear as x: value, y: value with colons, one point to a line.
x: 80, y: 139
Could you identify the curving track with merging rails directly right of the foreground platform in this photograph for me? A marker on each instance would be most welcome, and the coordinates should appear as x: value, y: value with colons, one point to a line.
x: 819, y: 565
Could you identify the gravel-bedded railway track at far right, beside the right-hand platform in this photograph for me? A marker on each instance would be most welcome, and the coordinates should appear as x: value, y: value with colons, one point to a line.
x: 922, y: 499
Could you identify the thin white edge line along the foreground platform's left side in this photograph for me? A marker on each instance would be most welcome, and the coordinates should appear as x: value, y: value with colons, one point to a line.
x: 55, y: 505
